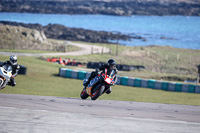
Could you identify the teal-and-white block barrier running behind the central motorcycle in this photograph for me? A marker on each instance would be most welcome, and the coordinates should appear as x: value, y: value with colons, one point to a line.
x: 136, y: 82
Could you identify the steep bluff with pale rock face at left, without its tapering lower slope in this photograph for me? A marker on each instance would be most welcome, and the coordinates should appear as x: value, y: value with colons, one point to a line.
x: 13, y: 37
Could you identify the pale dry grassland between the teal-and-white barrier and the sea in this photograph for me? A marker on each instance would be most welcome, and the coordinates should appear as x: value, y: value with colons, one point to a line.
x: 161, y: 62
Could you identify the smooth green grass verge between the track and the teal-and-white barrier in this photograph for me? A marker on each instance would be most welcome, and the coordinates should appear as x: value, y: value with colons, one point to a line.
x: 42, y: 79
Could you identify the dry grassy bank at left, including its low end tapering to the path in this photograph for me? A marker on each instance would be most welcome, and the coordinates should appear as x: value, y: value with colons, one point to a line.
x: 19, y: 38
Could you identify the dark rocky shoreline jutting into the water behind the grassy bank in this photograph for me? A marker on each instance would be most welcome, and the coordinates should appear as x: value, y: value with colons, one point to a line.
x: 61, y: 32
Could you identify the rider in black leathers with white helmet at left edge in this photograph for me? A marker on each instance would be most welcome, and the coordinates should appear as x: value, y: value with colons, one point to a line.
x: 15, y: 68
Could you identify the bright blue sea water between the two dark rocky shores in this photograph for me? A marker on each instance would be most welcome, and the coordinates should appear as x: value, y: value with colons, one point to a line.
x: 181, y: 31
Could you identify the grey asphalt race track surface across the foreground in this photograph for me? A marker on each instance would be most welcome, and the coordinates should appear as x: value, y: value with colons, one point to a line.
x: 43, y: 114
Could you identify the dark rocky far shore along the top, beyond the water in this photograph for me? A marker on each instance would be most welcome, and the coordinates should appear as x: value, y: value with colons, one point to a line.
x: 108, y: 7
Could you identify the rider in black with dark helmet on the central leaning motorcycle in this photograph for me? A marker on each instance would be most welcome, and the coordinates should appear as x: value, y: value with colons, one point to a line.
x: 111, y: 64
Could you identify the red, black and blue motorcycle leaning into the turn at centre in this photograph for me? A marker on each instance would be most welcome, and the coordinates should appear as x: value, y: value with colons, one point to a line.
x: 97, y: 85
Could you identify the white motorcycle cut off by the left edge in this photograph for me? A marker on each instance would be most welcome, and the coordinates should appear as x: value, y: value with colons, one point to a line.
x: 5, y: 74
